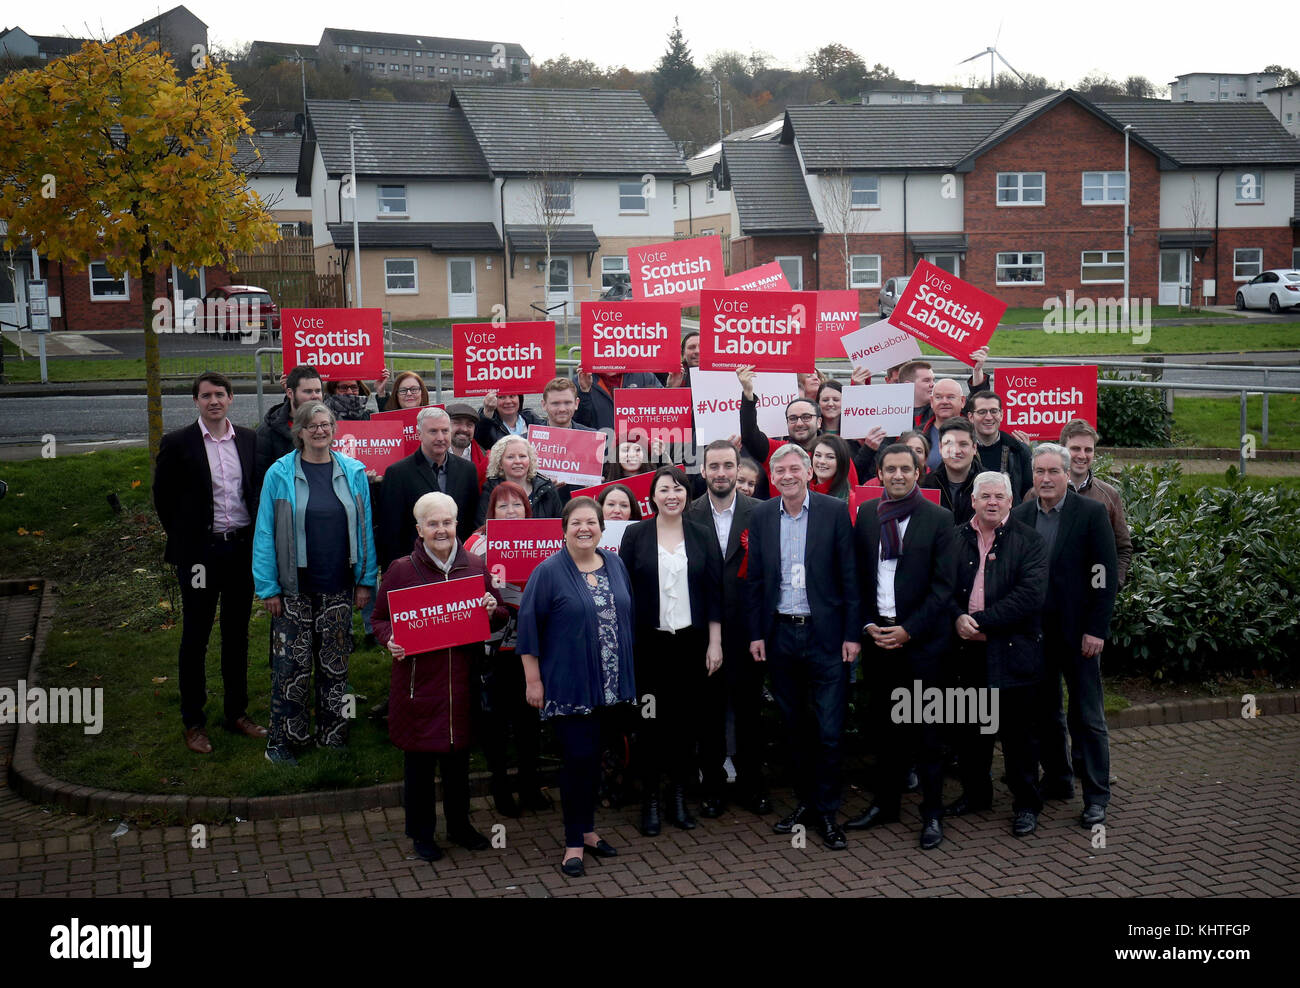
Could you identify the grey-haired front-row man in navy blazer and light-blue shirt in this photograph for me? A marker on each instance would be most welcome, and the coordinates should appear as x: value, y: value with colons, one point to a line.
x: 804, y: 621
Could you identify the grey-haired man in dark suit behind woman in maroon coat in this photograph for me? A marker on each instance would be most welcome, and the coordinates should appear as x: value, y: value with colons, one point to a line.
x: 430, y: 469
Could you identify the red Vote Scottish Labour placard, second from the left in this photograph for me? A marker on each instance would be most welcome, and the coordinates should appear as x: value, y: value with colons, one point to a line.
x: 515, y: 358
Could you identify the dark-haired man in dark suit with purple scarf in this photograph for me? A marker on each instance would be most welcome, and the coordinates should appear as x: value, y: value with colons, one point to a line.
x: 905, y: 575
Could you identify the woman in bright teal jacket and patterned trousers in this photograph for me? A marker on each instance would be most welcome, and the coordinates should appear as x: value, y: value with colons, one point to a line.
x: 313, y: 560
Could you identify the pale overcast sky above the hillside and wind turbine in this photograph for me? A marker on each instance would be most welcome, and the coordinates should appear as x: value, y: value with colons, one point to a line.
x: 917, y: 41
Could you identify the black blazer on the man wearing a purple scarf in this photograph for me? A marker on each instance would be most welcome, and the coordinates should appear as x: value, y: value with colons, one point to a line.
x: 924, y: 582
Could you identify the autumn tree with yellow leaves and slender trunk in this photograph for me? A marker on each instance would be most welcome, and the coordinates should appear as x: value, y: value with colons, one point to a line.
x: 107, y: 154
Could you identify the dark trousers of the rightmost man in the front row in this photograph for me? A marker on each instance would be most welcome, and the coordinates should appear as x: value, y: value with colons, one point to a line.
x: 1085, y: 727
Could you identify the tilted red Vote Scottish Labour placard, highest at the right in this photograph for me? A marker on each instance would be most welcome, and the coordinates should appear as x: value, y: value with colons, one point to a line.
x: 947, y: 313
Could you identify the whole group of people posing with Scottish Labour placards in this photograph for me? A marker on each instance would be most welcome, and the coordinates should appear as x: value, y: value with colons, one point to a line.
x: 749, y: 573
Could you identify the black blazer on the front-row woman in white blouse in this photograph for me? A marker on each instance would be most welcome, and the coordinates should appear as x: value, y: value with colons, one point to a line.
x: 640, y: 556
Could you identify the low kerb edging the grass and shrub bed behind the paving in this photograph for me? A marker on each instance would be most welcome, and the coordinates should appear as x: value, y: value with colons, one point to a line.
x: 37, y: 786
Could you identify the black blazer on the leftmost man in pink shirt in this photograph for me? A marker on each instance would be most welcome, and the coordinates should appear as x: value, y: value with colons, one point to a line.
x: 183, y: 489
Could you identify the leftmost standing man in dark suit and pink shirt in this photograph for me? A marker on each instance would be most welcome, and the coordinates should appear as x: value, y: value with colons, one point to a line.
x: 205, y: 491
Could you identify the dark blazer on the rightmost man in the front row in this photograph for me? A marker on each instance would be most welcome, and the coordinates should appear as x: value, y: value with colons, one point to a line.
x: 1077, y: 605
